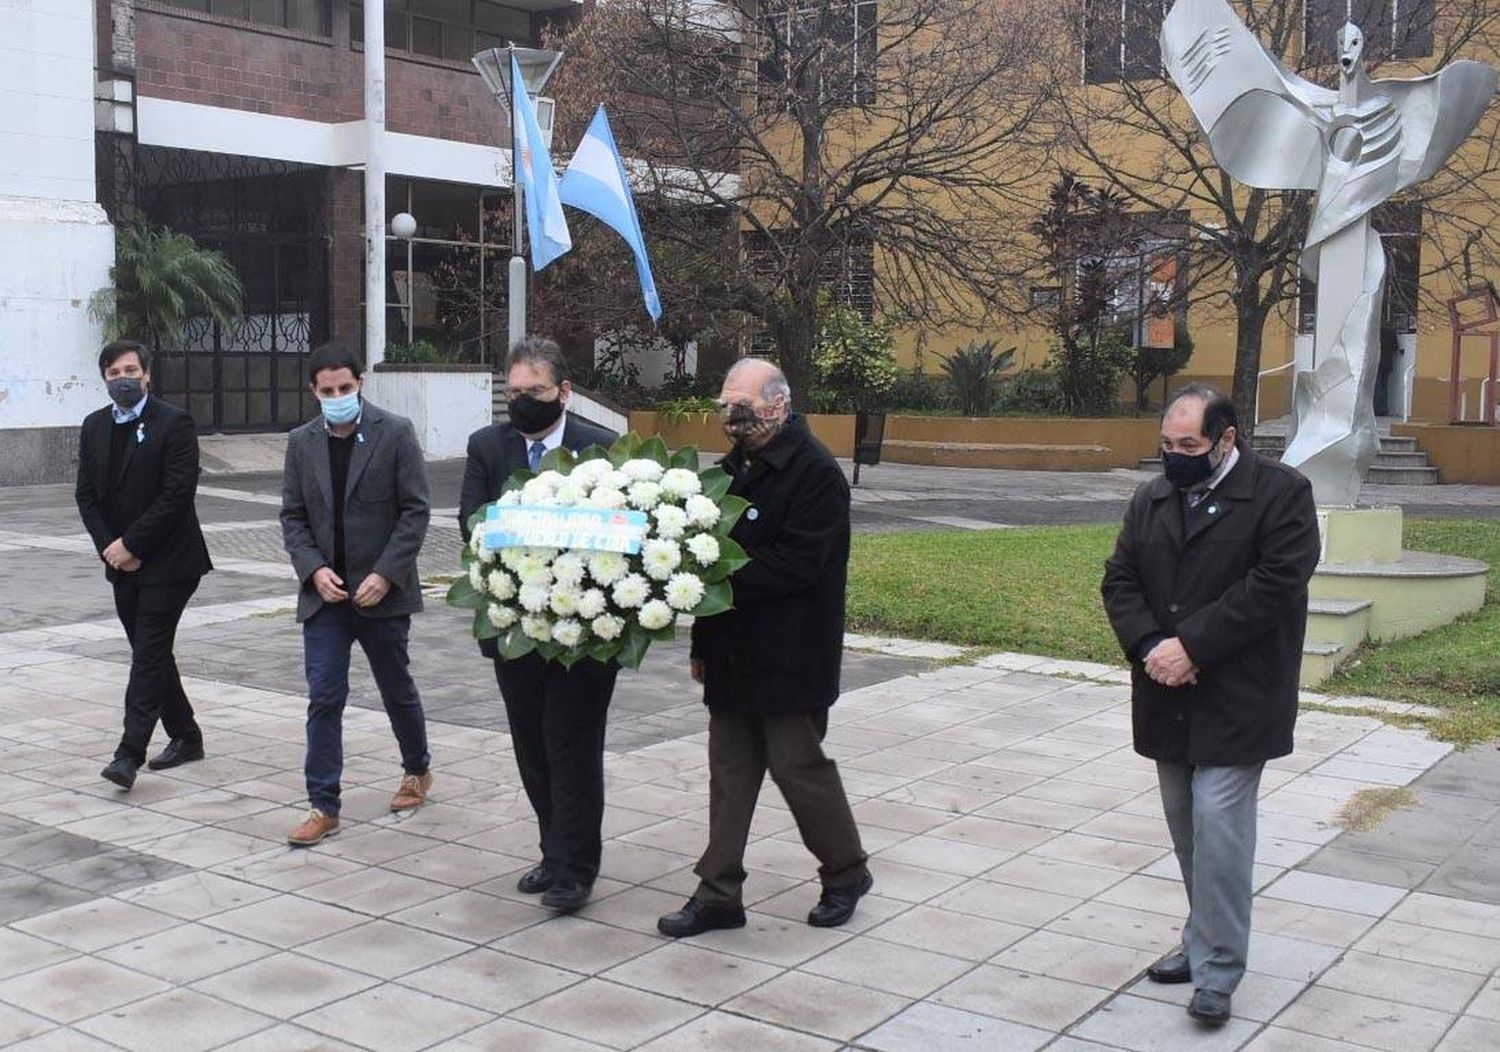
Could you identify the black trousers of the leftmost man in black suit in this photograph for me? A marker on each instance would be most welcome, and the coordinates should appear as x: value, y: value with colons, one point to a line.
x: 155, y: 691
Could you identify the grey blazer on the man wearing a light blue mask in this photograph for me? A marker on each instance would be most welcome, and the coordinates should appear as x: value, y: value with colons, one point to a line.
x: 385, y: 511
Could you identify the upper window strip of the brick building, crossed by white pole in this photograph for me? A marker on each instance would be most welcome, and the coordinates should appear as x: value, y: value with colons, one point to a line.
x: 448, y: 29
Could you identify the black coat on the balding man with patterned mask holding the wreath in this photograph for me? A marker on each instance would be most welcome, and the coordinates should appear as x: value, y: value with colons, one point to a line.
x: 781, y: 649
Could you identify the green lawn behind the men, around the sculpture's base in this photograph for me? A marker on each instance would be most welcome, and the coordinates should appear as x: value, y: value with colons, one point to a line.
x: 1037, y: 591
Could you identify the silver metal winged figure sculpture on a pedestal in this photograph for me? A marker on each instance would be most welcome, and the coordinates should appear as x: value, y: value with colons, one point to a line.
x: 1357, y: 148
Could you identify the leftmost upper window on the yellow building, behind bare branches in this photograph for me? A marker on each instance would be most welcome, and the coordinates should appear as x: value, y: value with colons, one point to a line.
x: 842, y: 31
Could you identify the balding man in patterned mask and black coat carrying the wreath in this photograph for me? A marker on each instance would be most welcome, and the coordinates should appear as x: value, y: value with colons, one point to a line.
x: 770, y: 667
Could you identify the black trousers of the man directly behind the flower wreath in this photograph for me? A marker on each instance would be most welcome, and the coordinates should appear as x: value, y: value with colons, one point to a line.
x: 557, y: 729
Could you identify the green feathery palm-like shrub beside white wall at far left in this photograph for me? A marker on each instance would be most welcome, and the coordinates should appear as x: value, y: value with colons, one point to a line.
x: 161, y: 280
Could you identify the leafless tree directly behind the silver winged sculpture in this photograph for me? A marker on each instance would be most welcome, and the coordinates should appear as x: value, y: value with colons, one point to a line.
x: 1129, y: 128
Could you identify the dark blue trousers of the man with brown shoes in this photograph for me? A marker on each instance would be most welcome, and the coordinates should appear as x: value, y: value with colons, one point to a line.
x: 328, y: 639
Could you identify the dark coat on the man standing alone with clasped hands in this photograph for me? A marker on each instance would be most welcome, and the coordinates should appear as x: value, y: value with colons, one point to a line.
x: 1234, y: 588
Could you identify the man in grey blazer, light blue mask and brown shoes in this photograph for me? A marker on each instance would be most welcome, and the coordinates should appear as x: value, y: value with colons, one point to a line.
x: 355, y: 512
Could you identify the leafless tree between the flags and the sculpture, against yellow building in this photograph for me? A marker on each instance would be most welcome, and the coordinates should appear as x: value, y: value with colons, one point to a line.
x: 859, y: 151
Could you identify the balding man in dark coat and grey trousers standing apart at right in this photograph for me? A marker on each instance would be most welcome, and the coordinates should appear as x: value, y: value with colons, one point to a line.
x: 1208, y: 595
